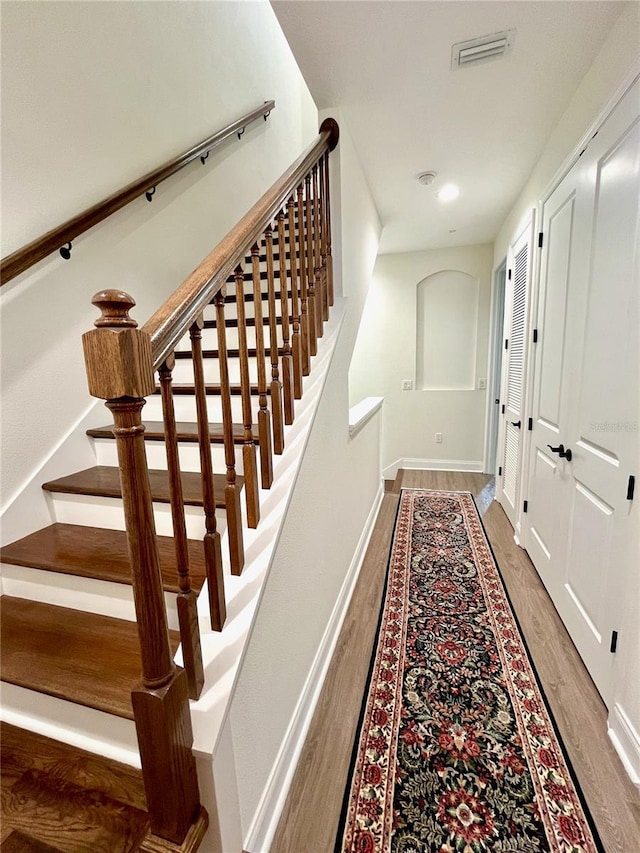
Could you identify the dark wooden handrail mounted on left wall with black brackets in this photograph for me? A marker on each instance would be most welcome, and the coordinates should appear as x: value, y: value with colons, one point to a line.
x: 54, y: 240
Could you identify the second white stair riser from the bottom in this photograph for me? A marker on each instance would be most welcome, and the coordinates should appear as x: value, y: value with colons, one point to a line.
x: 79, y: 593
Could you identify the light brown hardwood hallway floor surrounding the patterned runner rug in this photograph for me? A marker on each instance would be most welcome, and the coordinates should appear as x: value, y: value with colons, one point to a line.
x: 310, y: 817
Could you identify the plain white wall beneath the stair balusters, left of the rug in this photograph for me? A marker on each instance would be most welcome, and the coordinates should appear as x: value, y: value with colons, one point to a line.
x: 336, y: 488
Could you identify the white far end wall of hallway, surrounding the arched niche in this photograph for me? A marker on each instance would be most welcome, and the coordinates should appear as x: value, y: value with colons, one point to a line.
x: 385, y: 355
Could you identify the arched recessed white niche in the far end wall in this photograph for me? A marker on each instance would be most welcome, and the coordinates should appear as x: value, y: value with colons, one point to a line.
x: 446, y: 331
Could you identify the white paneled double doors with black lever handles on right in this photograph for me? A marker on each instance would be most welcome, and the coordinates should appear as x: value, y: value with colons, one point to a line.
x: 584, y: 446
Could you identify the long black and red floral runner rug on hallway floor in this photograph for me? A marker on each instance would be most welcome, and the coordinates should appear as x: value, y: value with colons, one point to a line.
x: 456, y: 751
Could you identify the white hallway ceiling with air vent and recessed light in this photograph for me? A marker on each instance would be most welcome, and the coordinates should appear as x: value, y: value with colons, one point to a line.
x: 387, y: 65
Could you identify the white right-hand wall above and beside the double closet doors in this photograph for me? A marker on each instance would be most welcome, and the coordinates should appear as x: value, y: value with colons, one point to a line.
x: 615, y: 62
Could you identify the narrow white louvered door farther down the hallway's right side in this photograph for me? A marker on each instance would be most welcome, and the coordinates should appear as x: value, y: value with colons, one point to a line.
x: 513, y: 420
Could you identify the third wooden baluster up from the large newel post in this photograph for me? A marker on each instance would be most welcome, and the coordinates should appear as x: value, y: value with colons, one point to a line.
x: 232, y: 491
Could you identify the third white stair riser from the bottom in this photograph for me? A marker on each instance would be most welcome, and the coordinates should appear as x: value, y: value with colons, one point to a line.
x: 95, y: 511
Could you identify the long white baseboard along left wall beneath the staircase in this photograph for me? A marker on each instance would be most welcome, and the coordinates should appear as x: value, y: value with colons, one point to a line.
x: 265, y: 822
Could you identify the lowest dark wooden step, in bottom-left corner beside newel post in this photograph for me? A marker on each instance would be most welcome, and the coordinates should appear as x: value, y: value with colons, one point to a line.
x: 60, y: 798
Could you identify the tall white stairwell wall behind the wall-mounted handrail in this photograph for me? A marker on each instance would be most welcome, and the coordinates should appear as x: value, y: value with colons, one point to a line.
x: 93, y: 96
